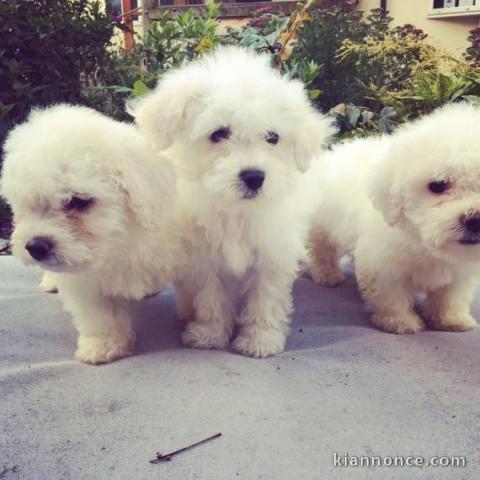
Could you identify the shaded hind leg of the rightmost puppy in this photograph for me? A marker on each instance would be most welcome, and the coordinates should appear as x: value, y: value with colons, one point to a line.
x: 324, y: 260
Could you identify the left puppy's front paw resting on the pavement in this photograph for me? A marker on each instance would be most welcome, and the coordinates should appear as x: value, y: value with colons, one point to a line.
x: 97, y: 350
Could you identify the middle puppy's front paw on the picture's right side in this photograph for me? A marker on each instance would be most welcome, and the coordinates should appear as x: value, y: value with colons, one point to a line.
x: 259, y: 342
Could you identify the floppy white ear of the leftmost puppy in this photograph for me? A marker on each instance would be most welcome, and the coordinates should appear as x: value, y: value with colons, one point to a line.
x: 149, y: 183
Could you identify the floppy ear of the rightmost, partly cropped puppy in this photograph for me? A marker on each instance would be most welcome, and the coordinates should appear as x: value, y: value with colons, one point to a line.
x: 385, y: 193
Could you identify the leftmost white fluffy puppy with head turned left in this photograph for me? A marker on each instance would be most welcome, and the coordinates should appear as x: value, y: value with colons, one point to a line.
x: 93, y: 204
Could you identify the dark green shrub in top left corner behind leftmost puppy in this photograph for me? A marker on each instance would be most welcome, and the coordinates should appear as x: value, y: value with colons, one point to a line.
x: 50, y: 50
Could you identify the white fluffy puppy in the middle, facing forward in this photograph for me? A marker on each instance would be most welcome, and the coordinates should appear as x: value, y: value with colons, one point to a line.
x: 241, y: 135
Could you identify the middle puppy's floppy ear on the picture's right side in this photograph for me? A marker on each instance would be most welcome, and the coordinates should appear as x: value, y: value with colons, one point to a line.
x: 315, y: 132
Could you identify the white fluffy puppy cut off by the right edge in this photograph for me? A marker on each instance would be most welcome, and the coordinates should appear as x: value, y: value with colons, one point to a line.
x: 407, y: 207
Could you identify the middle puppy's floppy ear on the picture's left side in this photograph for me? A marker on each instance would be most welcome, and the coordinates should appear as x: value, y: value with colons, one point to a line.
x: 161, y: 113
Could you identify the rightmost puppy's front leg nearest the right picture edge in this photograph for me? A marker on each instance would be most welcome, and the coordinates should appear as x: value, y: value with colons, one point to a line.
x: 448, y: 308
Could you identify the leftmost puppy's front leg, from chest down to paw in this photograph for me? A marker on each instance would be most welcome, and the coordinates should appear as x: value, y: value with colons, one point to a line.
x: 104, y: 325
